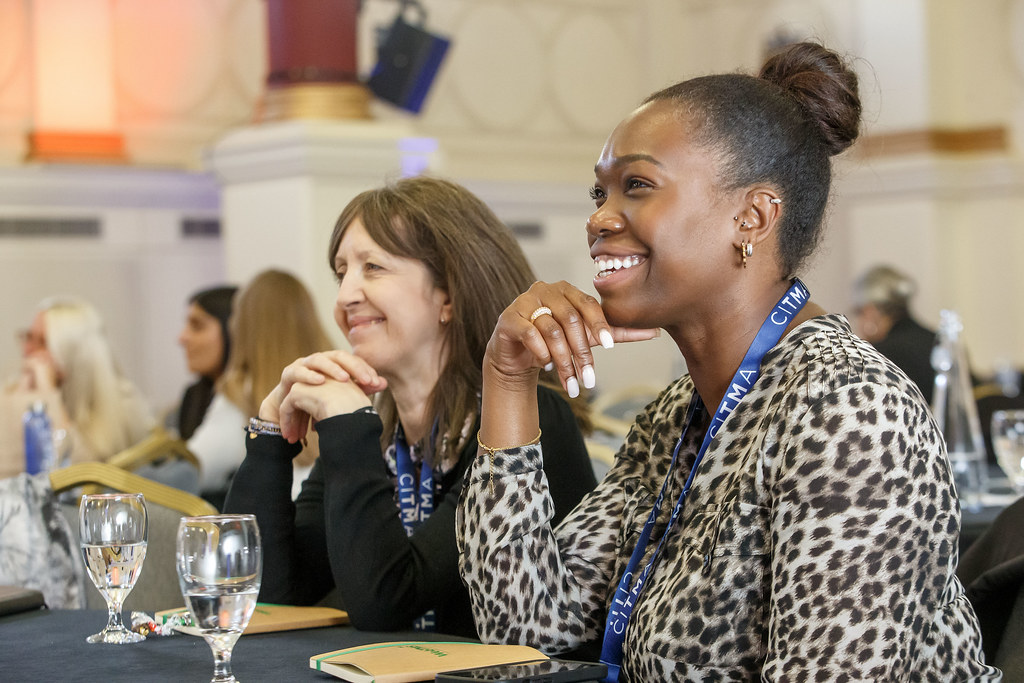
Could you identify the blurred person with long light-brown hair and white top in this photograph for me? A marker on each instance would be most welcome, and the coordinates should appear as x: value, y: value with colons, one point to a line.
x: 273, y: 323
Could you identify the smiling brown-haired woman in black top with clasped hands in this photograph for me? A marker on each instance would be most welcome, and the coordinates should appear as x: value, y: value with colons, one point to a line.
x: 424, y: 269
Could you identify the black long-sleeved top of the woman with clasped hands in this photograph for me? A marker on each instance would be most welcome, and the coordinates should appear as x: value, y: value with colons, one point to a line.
x: 386, y: 578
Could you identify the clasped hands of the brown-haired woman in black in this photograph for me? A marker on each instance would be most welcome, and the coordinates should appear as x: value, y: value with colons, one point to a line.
x: 314, y: 371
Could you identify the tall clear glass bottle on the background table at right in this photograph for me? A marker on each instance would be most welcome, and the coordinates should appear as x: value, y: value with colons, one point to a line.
x: 957, y: 413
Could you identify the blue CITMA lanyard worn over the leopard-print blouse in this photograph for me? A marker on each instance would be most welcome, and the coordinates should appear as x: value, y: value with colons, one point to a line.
x: 628, y: 592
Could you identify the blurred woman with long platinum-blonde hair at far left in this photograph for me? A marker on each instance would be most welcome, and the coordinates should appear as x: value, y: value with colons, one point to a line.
x: 68, y: 364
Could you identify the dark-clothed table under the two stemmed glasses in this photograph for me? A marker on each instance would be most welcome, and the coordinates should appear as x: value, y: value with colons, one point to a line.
x: 50, y: 645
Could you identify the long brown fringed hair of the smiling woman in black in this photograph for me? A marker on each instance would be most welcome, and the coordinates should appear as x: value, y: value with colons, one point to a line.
x: 473, y: 257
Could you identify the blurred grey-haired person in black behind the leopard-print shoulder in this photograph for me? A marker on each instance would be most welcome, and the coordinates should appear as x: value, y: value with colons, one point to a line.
x: 882, y: 316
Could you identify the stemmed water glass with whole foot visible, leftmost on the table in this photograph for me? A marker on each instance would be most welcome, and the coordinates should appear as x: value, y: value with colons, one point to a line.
x: 114, y: 529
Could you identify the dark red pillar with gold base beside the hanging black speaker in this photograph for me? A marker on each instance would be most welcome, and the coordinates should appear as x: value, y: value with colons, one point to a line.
x: 313, y: 62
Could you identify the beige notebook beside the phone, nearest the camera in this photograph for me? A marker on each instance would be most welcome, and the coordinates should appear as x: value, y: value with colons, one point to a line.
x: 411, y: 661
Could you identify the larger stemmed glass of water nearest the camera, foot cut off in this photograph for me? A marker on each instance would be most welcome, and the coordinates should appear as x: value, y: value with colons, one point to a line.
x: 221, y: 566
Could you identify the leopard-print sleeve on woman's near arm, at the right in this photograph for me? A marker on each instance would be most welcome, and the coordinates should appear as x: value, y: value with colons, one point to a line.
x: 864, y: 529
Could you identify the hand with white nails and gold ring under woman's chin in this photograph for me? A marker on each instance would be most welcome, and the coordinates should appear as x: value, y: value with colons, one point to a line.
x: 554, y: 324
